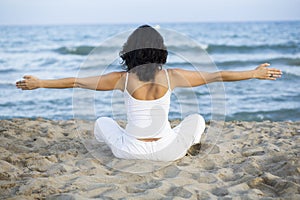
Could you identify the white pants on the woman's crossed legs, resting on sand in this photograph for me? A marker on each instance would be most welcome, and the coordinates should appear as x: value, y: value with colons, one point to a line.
x: 170, y: 147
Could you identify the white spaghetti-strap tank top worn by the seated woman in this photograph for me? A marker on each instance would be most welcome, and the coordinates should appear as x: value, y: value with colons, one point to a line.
x: 147, y: 118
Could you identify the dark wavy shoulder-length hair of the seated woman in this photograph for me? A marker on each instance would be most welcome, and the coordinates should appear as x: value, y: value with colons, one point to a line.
x: 144, y: 53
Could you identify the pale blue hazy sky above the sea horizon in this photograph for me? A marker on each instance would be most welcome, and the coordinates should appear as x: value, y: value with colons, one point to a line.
x: 45, y: 12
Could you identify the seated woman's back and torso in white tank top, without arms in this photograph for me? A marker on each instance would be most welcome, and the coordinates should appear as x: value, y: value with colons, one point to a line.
x: 147, y: 105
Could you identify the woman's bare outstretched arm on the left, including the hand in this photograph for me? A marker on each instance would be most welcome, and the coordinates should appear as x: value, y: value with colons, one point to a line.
x: 109, y: 81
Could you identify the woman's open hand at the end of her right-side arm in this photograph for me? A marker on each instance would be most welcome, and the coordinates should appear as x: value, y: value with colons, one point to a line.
x: 265, y: 73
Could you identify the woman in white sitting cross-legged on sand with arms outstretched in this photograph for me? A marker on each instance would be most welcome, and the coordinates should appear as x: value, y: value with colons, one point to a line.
x: 147, y: 89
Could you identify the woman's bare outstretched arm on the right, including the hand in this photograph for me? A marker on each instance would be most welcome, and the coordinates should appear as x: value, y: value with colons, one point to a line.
x: 185, y: 78
